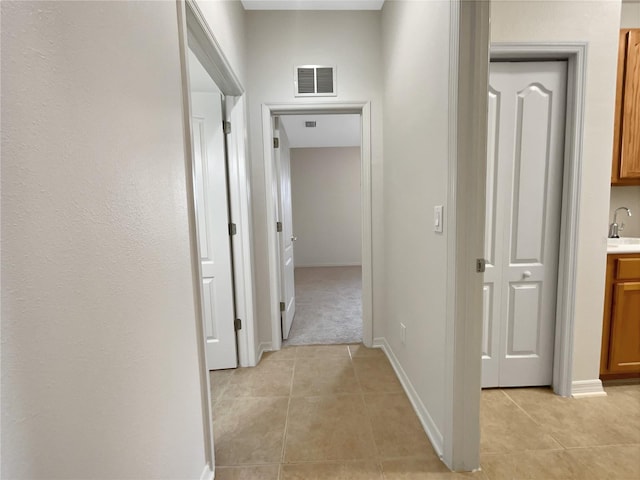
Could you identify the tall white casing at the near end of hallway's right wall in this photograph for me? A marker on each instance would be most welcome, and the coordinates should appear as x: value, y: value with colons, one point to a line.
x: 468, y: 87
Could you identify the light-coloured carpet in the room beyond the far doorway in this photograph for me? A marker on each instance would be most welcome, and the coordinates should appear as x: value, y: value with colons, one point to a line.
x: 328, y: 306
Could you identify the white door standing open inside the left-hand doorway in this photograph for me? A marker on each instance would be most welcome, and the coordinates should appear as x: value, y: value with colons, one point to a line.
x: 212, y: 210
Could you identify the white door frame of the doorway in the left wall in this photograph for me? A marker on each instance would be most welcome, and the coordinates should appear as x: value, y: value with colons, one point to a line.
x: 195, y: 33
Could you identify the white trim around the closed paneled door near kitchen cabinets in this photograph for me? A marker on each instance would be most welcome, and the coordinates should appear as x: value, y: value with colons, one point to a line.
x: 575, y: 53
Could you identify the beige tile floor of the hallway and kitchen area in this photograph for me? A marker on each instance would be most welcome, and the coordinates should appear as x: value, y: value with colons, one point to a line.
x: 338, y: 412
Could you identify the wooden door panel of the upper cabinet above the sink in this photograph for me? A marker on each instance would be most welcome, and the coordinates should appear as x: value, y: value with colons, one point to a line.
x: 630, y: 142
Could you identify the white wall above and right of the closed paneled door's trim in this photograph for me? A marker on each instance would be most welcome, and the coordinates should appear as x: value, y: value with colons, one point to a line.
x: 596, y: 22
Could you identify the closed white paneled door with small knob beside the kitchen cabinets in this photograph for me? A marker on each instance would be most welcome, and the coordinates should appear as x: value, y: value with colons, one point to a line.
x: 527, y: 103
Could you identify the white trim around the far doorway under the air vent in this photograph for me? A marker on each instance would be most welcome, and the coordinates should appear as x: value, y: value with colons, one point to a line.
x: 364, y: 110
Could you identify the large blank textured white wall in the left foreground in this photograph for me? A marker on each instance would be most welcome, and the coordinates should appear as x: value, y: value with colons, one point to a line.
x: 99, y: 367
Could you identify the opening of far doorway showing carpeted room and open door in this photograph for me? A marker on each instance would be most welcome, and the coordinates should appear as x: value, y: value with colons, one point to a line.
x: 318, y: 164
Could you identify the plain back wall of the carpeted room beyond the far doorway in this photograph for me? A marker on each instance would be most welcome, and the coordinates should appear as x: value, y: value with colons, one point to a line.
x: 325, y: 190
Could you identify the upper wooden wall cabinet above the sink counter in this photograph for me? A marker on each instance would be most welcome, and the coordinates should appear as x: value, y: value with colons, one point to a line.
x: 626, y: 137
